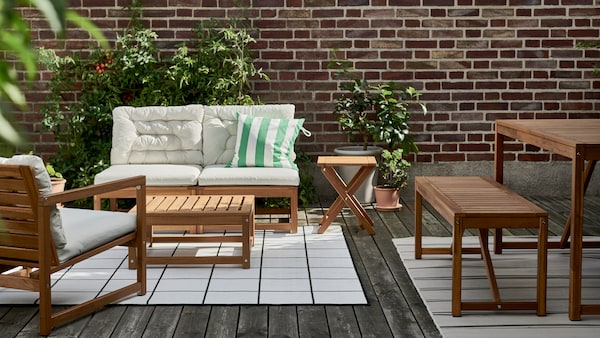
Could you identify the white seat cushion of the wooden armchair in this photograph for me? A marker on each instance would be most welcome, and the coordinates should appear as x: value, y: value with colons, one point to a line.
x: 87, y: 229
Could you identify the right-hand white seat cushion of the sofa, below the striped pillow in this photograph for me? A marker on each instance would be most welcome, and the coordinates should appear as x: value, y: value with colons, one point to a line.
x: 220, y: 176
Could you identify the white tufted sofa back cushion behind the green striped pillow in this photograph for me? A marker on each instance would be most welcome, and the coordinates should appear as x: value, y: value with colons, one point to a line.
x: 220, y: 127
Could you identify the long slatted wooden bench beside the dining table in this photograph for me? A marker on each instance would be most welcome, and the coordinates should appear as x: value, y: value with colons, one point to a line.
x: 480, y: 203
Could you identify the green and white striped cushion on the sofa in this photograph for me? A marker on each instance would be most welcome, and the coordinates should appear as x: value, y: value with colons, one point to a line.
x: 265, y: 142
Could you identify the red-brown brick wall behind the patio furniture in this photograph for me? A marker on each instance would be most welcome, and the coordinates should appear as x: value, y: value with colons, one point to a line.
x: 473, y: 60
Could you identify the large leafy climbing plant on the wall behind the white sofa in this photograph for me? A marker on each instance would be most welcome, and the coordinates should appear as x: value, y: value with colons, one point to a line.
x: 214, y: 67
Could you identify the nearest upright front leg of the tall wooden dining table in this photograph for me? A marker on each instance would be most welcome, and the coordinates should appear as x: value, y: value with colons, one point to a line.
x: 577, y: 184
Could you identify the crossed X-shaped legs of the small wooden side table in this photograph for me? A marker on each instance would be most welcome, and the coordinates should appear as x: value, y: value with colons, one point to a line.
x: 346, y: 196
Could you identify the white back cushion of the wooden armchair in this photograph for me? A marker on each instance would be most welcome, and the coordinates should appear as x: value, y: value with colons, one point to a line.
x: 45, y: 187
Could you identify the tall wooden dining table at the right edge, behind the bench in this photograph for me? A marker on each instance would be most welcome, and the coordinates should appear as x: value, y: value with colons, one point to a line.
x: 579, y: 140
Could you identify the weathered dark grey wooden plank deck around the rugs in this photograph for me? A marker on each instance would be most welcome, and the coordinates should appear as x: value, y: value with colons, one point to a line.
x: 394, y: 310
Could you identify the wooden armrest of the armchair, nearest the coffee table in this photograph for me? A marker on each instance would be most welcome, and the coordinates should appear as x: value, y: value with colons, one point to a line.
x: 91, y: 190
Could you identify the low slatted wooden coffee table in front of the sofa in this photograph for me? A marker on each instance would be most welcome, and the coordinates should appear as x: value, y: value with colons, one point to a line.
x: 207, y: 210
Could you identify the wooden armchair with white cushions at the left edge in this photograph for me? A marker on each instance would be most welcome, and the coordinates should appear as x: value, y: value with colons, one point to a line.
x: 38, y: 239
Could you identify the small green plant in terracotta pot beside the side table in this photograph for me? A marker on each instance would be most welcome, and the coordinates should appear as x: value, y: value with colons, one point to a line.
x: 393, y: 170
